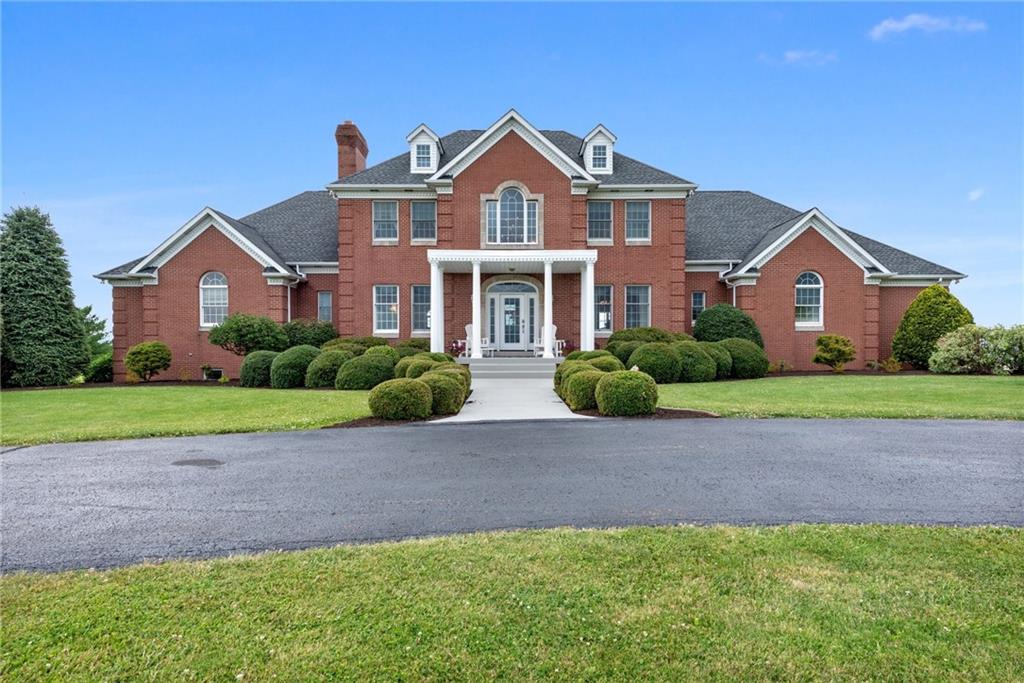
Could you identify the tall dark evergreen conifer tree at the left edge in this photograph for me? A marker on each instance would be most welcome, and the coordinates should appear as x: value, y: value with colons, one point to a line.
x: 44, y: 340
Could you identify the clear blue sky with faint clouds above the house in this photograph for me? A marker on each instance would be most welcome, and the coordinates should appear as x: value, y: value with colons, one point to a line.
x: 901, y: 121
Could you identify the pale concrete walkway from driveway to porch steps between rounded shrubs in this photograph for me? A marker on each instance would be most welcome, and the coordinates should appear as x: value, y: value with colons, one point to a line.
x: 513, y: 399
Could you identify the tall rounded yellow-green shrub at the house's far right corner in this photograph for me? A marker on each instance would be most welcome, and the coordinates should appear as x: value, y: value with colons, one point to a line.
x: 934, y: 313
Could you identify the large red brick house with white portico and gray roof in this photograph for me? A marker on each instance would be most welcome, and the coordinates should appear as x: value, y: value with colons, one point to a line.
x: 495, y: 237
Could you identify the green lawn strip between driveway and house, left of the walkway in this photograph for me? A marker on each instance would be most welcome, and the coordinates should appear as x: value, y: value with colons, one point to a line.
x: 79, y: 415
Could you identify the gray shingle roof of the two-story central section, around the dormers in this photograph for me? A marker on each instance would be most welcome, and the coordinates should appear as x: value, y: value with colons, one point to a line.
x: 395, y: 172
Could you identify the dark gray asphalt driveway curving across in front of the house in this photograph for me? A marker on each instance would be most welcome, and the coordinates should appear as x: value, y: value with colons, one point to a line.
x: 111, y: 503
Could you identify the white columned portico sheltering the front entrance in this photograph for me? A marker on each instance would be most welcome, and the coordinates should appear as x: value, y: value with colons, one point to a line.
x: 508, y: 303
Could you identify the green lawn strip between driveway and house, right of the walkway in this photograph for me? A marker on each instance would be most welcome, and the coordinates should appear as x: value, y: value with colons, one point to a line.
x: 856, y: 397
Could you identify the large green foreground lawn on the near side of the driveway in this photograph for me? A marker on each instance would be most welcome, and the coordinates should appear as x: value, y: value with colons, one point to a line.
x: 818, y: 603
